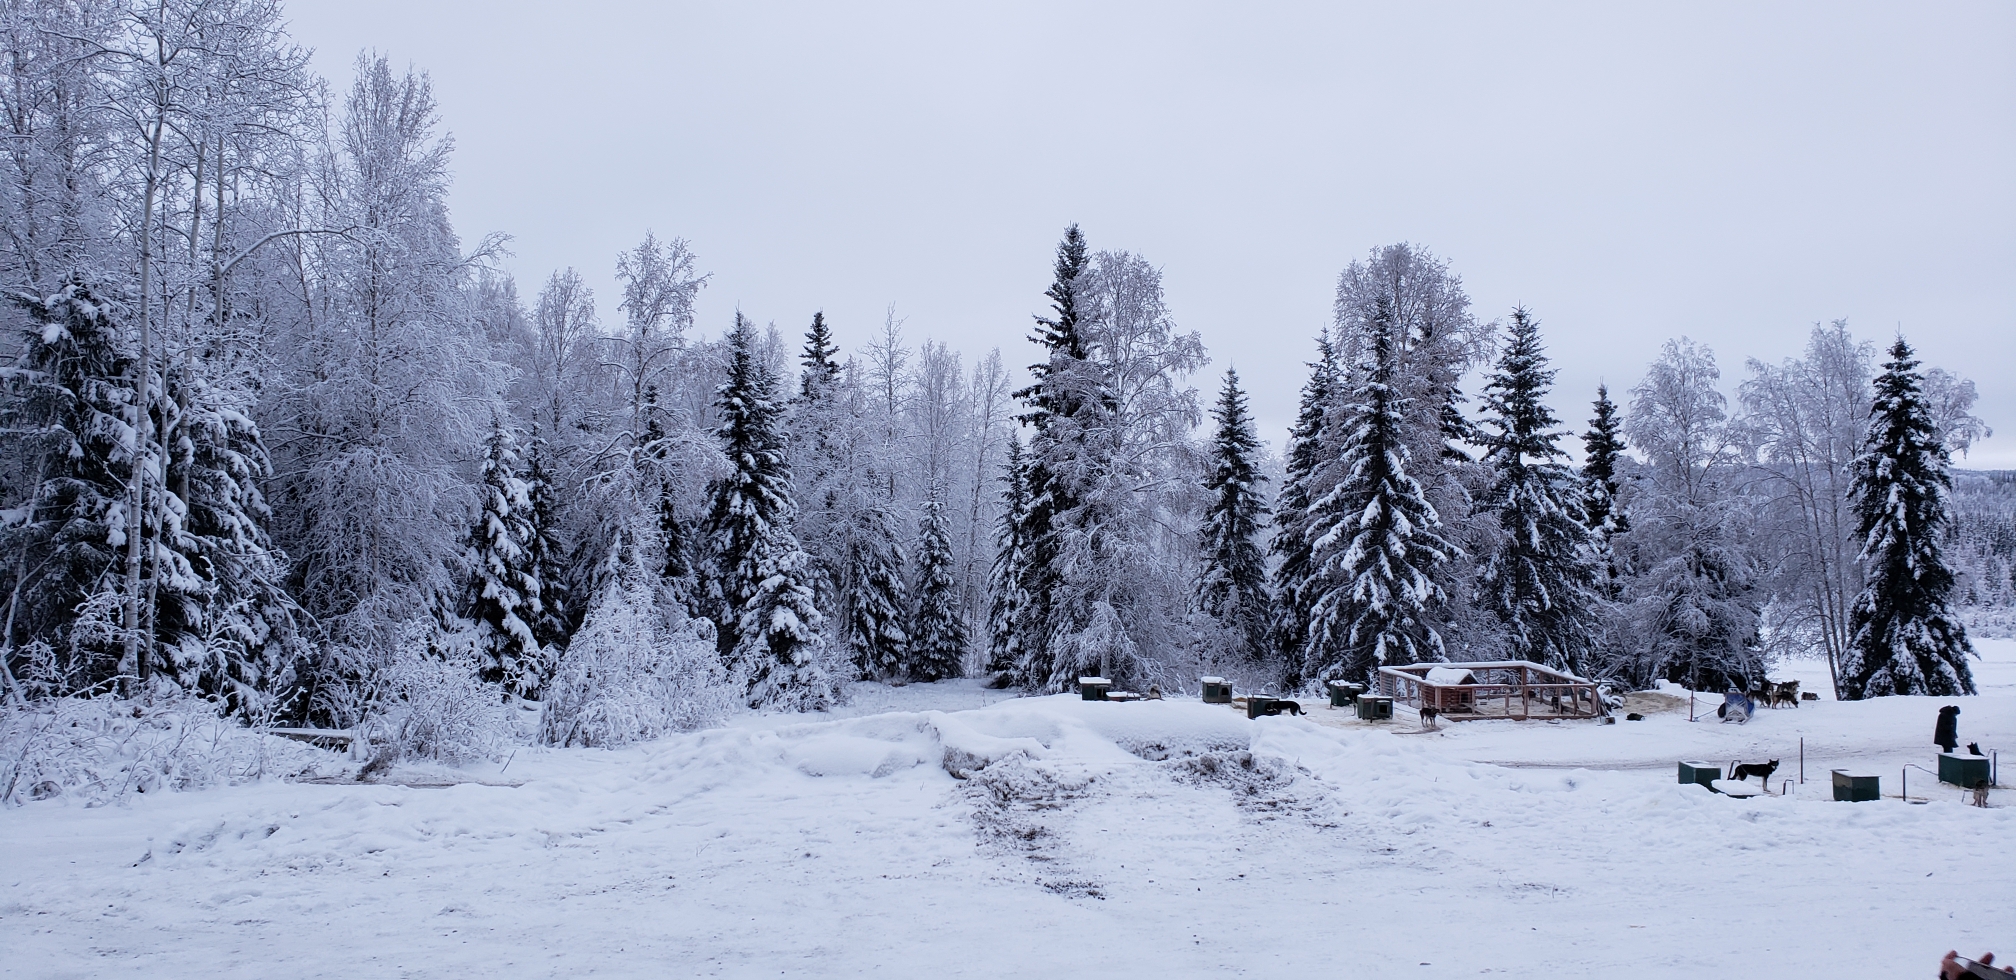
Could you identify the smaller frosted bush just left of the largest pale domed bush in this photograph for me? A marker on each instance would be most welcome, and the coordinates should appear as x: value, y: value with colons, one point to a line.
x: 432, y: 705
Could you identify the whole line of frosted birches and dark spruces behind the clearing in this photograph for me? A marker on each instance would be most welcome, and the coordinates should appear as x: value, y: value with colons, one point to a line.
x: 273, y: 431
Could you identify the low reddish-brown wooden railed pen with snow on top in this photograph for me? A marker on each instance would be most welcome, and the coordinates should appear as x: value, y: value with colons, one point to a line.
x: 1501, y: 689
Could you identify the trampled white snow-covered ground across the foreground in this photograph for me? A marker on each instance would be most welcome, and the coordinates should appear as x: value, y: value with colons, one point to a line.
x: 955, y: 832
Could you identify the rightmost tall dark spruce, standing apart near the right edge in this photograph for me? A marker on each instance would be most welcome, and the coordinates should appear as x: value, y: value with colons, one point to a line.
x: 1904, y: 632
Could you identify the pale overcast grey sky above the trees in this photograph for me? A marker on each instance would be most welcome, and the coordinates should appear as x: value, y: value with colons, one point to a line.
x: 1630, y: 172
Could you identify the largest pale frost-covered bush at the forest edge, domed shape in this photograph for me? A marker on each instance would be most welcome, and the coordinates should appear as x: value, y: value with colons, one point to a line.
x: 636, y: 670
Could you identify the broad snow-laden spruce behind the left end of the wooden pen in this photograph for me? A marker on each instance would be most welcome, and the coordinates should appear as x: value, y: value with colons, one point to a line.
x: 1376, y: 537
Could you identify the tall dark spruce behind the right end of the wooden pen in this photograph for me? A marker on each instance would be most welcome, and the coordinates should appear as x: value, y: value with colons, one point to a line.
x: 1537, y: 580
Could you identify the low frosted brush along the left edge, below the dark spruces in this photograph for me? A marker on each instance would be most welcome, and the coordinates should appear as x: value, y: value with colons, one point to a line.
x: 102, y: 749
